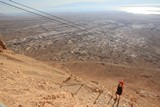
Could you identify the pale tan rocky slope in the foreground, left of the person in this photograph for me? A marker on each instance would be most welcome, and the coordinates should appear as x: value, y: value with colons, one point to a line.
x: 26, y: 82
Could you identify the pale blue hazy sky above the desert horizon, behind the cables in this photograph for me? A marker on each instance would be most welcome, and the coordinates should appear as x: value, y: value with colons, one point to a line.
x: 132, y: 6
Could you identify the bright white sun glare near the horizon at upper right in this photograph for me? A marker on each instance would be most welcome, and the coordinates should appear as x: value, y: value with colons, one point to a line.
x: 141, y: 10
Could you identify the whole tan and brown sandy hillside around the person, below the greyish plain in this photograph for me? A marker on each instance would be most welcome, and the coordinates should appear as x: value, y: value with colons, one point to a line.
x: 26, y: 82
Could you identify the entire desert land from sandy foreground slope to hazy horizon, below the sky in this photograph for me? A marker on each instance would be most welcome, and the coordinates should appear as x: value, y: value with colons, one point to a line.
x: 81, y: 66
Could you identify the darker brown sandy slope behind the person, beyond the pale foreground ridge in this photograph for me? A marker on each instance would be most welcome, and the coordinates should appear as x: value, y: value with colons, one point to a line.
x: 141, y: 84
